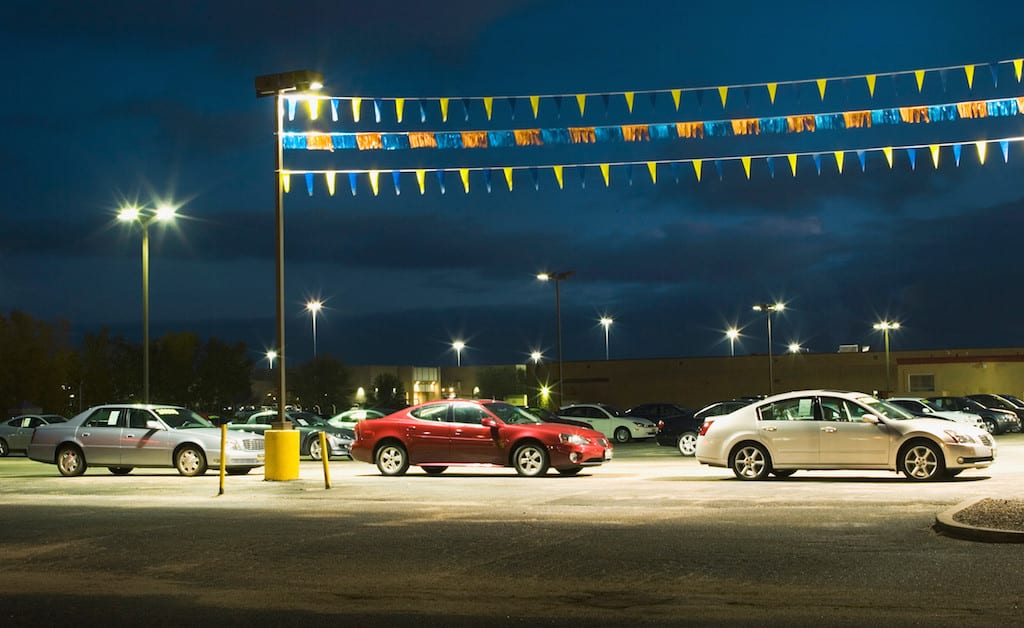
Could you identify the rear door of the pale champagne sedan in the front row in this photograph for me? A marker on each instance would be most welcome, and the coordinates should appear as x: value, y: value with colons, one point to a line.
x: 791, y: 430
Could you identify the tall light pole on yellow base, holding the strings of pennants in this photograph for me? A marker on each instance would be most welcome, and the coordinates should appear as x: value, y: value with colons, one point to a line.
x: 278, y: 86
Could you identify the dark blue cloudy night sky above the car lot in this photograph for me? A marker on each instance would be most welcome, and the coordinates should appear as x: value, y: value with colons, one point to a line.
x: 114, y: 103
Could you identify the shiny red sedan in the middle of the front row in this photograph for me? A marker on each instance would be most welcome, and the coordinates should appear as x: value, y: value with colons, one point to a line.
x: 451, y: 433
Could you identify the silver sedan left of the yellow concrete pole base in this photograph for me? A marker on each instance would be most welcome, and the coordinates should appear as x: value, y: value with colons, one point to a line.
x: 124, y: 437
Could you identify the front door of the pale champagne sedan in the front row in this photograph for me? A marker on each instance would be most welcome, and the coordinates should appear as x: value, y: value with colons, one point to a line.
x: 847, y: 440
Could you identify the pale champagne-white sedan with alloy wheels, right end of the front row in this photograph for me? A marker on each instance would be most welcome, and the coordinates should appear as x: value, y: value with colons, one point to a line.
x: 832, y: 430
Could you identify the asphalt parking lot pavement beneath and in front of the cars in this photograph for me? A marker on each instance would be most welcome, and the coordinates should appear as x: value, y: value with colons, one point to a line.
x: 650, y: 539
